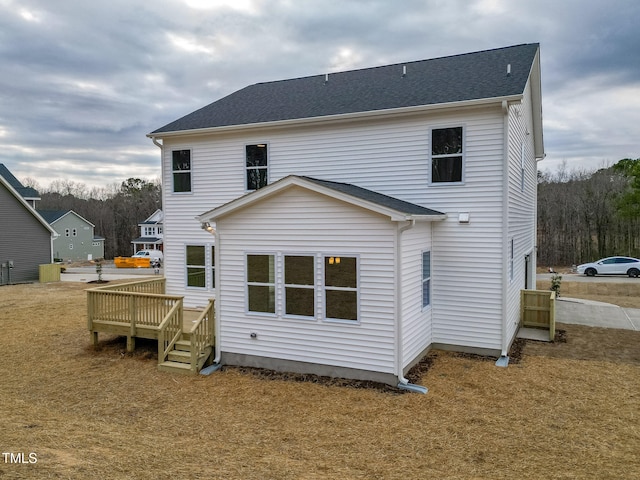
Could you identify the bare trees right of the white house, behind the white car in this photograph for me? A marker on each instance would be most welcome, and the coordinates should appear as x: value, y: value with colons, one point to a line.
x: 587, y: 215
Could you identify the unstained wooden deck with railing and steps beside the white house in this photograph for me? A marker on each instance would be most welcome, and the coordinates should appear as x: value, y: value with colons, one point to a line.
x: 142, y: 310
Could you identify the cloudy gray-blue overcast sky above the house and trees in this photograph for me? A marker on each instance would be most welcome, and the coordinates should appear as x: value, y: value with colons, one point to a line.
x: 83, y: 82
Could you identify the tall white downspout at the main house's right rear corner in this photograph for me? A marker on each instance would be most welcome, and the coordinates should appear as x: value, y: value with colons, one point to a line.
x: 503, y: 361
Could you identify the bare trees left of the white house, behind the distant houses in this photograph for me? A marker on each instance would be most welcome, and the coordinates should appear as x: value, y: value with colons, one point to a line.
x: 115, y: 210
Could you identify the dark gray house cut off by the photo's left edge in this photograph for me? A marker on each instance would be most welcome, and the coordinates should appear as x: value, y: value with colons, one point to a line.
x: 25, y: 237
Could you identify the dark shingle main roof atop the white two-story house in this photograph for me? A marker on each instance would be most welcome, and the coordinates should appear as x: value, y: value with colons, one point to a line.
x: 456, y: 78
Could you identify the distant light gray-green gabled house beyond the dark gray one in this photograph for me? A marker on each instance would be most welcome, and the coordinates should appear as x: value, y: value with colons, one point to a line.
x: 76, y: 239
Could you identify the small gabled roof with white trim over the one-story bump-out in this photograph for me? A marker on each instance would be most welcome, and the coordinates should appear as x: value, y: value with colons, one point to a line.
x: 397, y: 210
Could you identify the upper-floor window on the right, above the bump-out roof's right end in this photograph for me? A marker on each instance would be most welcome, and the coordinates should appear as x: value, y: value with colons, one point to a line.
x: 446, y: 155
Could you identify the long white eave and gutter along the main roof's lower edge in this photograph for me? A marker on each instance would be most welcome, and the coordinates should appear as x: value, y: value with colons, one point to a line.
x: 340, y: 117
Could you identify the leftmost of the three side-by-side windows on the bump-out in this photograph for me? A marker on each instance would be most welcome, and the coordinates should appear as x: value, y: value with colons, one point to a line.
x: 261, y: 283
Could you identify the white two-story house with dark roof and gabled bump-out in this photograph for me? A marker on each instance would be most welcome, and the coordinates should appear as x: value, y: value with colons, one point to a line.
x: 346, y: 223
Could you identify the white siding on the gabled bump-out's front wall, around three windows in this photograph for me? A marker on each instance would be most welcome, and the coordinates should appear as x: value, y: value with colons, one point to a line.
x: 299, y: 222
